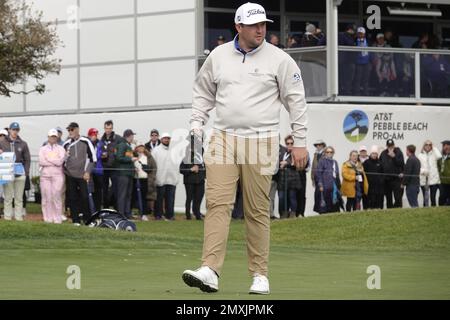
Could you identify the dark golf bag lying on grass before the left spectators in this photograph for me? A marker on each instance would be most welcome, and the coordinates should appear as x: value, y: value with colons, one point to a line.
x: 109, y: 218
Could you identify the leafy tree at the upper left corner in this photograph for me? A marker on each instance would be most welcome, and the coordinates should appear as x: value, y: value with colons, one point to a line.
x: 26, y: 48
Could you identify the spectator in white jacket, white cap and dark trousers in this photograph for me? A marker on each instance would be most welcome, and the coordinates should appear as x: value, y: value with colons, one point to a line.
x: 167, y: 176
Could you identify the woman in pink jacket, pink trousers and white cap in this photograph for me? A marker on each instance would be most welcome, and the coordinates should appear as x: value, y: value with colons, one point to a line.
x: 51, y: 159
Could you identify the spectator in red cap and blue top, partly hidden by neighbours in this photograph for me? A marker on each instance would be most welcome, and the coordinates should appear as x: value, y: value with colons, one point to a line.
x: 97, y: 172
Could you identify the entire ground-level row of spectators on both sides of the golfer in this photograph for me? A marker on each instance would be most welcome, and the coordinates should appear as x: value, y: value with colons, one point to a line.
x: 87, y: 173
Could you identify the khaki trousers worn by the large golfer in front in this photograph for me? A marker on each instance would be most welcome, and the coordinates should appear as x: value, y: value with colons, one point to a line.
x: 230, y: 159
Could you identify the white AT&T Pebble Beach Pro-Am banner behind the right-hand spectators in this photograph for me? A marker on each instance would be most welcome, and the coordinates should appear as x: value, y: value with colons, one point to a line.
x: 347, y: 127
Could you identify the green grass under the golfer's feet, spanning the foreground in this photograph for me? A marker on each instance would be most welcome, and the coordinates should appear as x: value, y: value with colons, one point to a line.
x: 322, y: 257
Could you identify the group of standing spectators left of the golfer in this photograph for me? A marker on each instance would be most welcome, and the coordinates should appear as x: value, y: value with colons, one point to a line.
x: 87, y: 173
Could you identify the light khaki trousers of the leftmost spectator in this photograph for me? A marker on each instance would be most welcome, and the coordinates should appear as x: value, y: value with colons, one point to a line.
x: 14, y: 190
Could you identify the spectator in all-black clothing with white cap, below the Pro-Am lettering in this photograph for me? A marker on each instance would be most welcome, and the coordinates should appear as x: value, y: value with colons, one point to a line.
x: 375, y: 178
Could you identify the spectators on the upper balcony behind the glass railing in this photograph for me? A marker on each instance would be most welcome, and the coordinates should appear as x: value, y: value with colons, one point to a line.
x: 367, y: 73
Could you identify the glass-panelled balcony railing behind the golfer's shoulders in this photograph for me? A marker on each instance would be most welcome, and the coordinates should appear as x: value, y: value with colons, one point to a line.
x: 376, y: 74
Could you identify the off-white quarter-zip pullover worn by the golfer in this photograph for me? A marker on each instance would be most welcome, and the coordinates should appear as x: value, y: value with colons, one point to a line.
x: 248, y: 91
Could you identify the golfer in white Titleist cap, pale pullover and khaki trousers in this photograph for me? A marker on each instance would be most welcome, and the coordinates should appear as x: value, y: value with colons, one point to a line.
x: 247, y: 80
